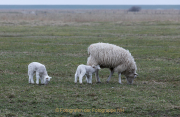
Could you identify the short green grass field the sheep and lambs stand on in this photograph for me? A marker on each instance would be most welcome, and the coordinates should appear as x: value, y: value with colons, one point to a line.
x: 155, y: 92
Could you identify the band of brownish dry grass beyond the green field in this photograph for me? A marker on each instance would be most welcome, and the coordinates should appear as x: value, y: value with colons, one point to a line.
x: 84, y: 17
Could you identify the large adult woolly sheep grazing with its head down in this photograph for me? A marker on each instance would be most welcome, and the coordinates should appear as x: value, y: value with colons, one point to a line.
x: 116, y: 58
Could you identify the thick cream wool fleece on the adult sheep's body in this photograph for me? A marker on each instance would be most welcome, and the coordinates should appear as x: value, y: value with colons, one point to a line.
x: 110, y: 56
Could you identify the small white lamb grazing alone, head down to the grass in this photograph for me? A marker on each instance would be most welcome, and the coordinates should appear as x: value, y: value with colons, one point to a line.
x: 40, y: 71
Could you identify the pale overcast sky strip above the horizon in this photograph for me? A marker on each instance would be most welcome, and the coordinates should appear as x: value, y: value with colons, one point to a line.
x: 89, y: 2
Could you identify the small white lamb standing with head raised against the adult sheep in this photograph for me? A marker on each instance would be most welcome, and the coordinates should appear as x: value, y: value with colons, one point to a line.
x: 87, y: 71
